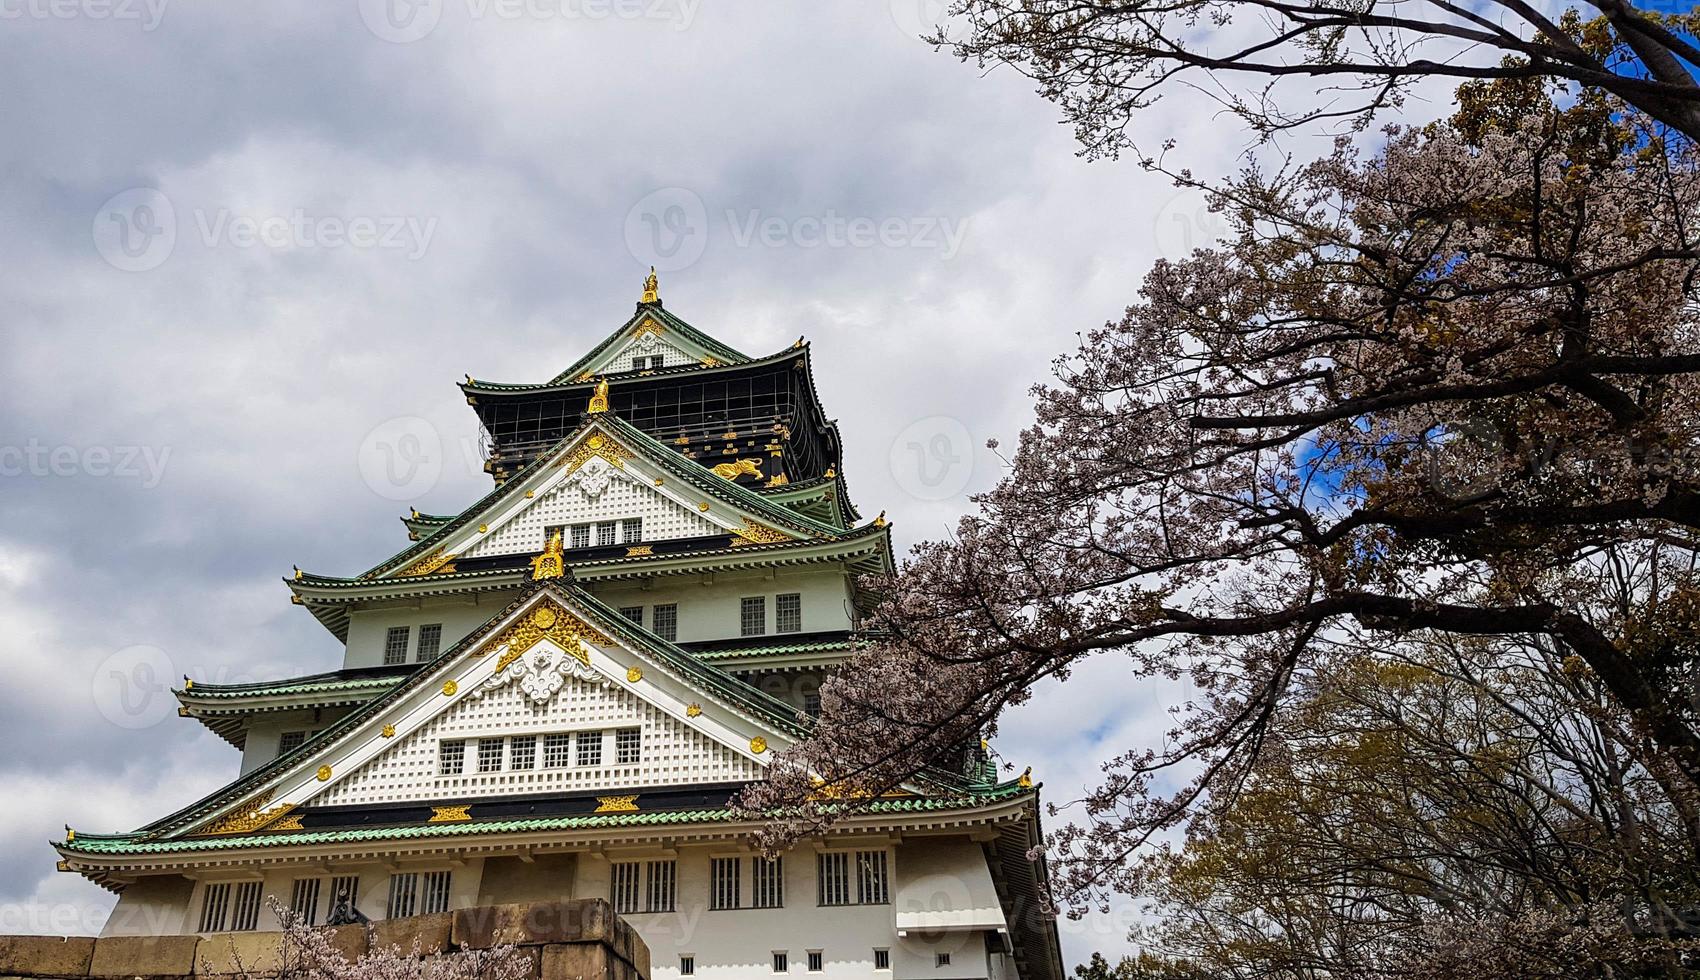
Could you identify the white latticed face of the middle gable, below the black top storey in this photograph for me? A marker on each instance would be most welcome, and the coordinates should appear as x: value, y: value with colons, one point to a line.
x: 594, y: 493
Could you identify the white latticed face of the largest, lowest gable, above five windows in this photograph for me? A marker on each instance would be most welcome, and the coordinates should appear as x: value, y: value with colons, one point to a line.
x: 671, y: 751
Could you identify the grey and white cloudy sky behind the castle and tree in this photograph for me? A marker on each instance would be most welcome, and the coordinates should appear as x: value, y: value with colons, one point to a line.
x: 247, y: 249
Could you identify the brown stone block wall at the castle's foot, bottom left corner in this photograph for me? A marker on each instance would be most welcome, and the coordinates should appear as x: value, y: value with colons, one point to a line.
x: 564, y: 940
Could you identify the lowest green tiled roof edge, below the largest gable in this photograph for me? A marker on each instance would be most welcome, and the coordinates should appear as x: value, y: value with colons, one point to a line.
x: 142, y: 845
